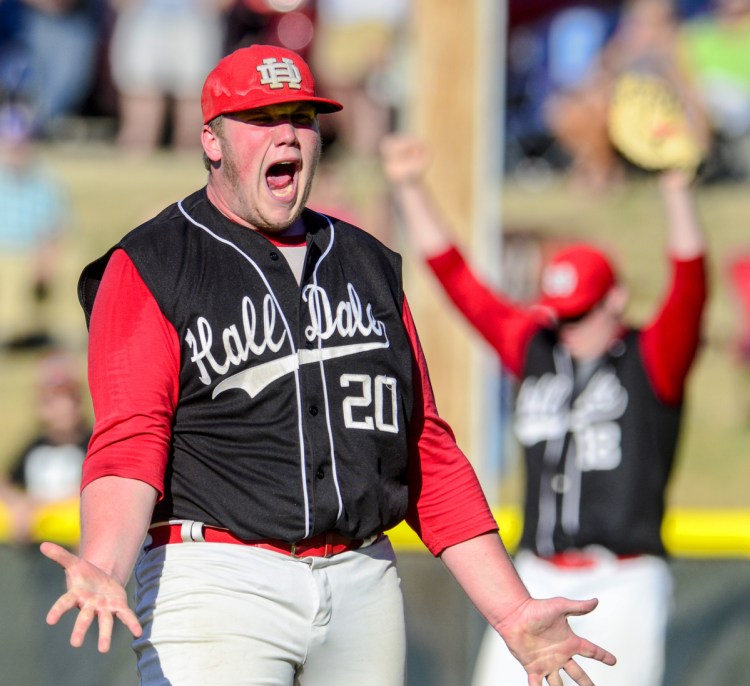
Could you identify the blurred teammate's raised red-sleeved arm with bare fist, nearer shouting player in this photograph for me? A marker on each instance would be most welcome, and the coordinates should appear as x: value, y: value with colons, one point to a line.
x: 506, y: 327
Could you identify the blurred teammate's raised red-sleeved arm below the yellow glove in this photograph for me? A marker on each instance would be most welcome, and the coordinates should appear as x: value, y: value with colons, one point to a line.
x: 670, y: 342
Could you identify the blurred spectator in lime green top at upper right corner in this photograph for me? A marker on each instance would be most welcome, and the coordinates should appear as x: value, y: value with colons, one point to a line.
x: 716, y: 49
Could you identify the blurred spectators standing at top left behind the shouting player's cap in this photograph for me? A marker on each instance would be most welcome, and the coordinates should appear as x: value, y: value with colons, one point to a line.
x: 141, y: 63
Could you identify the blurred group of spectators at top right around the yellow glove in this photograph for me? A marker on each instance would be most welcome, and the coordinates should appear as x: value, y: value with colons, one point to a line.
x: 562, y: 63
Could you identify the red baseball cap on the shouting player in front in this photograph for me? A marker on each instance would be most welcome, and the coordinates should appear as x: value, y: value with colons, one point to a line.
x: 257, y: 76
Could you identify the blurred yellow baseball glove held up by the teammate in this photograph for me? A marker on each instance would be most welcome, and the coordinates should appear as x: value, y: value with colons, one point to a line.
x: 649, y: 125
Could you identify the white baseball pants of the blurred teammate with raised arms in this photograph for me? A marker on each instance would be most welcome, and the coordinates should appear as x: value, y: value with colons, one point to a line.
x: 635, y: 597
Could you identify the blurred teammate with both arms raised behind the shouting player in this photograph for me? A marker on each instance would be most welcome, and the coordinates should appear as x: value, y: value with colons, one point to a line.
x: 598, y: 414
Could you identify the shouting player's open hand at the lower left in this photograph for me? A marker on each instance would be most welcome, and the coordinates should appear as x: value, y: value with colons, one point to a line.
x: 96, y: 593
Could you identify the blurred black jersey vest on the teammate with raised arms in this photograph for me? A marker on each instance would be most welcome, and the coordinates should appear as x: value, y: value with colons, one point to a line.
x: 599, y: 449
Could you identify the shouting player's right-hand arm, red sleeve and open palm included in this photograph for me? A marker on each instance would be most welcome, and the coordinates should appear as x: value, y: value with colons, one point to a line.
x: 448, y: 510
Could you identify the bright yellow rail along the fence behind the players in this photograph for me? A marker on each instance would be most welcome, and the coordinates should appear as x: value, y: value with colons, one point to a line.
x: 709, y: 533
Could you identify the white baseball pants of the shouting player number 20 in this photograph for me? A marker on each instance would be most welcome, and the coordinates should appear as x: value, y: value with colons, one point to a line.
x: 217, y: 613
